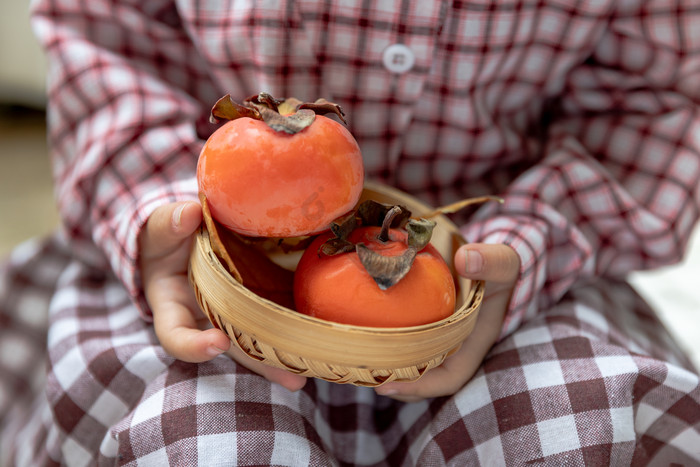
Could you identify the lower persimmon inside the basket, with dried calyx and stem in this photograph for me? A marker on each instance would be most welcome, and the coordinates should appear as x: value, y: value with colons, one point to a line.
x: 375, y: 276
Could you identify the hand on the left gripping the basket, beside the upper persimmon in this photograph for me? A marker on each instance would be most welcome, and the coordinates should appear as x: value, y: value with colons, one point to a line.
x: 183, y: 330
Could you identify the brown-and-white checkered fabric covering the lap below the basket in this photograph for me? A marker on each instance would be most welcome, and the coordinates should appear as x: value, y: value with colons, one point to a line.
x: 595, y: 380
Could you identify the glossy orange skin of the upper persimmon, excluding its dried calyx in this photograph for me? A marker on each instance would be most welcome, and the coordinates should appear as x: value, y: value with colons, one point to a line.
x: 263, y: 183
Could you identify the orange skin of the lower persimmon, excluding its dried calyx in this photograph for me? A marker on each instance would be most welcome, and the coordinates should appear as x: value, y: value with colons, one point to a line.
x: 339, y: 289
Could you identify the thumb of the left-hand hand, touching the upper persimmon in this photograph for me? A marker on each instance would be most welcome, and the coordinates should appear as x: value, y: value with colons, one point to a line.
x: 168, y: 226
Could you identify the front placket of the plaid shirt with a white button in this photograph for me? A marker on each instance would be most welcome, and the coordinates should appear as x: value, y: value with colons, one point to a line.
x: 374, y: 63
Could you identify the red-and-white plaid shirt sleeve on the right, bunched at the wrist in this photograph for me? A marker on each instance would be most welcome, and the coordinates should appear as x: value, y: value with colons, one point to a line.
x: 616, y: 189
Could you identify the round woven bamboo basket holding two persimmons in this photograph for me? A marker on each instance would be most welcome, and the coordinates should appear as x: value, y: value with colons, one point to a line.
x: 365, y: 356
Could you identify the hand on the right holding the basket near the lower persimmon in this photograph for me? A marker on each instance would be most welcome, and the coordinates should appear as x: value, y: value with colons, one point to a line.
x: 498, y: 266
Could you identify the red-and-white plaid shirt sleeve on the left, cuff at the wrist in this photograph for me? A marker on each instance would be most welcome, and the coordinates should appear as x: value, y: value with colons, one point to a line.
x: 124, y: 94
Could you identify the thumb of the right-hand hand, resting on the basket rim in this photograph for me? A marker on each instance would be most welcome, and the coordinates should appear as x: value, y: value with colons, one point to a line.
x: 490, y: 263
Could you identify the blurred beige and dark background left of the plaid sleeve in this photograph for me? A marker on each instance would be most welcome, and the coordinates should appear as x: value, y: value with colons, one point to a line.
x: 26, y: 200
